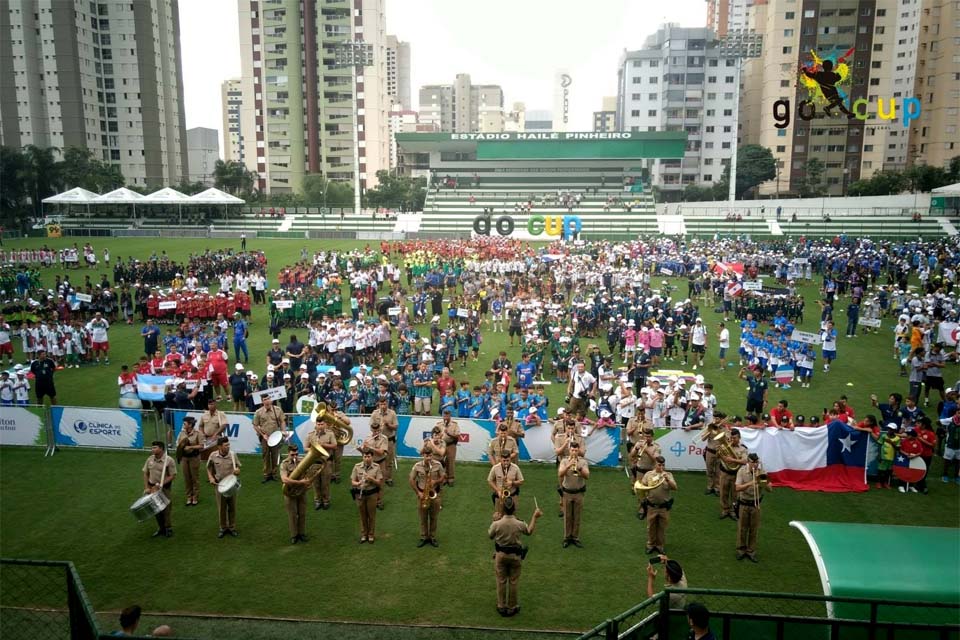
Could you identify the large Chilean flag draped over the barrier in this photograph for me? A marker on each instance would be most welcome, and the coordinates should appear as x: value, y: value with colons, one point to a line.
x: 830, y: 458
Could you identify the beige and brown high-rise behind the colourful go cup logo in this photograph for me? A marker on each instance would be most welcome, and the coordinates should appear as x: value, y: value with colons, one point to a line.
x: 883, y: 36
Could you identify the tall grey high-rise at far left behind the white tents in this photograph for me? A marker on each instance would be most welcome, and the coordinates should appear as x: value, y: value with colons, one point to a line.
x: 103, y: 75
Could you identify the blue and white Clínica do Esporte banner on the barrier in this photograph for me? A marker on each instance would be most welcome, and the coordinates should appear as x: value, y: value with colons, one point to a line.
x: 85, y: 427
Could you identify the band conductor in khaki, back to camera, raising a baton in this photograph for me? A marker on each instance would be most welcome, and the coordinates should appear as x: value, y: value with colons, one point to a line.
x: 508, y: 557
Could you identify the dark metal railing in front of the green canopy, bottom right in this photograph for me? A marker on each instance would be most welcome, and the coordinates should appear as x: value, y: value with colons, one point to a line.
x: 782, y: 616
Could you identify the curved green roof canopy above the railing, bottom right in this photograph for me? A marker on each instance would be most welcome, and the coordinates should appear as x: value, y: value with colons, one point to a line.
x: 883, y: 562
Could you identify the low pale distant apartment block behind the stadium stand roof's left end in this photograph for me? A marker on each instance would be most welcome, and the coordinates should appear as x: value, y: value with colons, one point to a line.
x: 463, y: 107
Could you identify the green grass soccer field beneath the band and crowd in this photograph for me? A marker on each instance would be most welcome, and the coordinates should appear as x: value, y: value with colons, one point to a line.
x: 74, y: 507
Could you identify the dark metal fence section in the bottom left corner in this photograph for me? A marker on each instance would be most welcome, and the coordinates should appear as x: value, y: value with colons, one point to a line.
x: 42, y: 599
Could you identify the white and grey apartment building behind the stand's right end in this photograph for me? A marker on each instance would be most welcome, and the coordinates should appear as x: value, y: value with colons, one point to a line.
x: 679, y: 81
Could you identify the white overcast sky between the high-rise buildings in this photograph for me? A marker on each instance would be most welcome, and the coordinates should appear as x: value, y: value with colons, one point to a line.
x: 518, y: 44
